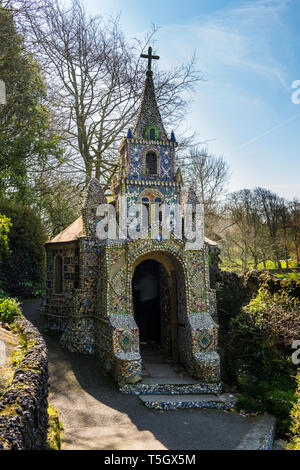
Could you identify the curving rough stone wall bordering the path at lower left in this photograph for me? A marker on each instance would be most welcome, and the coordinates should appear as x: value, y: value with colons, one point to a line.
x: 23, y: 406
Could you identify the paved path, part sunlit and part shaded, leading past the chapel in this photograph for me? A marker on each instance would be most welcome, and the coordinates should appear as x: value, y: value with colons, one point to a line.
x: 96, y: 416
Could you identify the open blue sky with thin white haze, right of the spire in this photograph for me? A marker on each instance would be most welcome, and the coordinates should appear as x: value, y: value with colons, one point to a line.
x: 249, y: 53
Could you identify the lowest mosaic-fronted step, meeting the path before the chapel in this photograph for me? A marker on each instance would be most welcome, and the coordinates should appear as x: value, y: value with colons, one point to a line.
x: 172, y: 402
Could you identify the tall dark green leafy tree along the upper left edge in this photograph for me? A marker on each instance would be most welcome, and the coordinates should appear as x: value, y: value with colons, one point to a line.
x: 25, y: 134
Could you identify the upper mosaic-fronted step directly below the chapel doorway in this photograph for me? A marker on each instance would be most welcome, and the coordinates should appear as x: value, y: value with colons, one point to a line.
x: 170, y: 386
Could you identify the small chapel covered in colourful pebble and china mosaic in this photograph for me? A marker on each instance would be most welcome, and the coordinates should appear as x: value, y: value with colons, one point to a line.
x: 90, y: 294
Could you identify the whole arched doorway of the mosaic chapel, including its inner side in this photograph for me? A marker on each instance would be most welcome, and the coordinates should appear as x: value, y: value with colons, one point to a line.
x: 159, y: 303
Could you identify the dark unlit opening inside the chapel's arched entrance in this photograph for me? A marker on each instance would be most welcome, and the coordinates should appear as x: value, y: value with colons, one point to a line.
x: 146, y: 301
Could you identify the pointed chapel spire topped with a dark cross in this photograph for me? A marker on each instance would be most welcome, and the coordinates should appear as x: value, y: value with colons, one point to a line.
x: 148, y: 122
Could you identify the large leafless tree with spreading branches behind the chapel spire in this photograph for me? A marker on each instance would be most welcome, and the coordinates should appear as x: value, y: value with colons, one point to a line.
x: 95, y: 80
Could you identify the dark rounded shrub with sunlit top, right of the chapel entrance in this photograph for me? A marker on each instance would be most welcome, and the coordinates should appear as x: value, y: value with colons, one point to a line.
x: 261, y: 335
